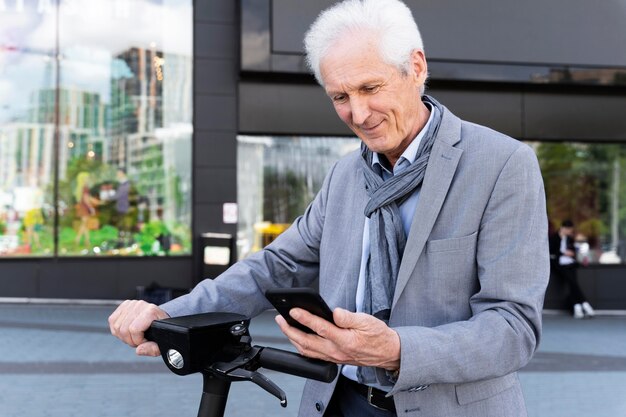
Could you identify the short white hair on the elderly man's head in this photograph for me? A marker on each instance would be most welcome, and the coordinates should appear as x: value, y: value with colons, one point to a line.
x: 389, y: 21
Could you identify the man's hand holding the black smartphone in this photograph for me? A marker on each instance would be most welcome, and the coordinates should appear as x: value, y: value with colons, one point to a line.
x: 355, y: 339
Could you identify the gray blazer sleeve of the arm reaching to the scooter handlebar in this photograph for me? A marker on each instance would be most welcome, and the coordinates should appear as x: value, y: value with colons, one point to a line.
x: 292, y: 259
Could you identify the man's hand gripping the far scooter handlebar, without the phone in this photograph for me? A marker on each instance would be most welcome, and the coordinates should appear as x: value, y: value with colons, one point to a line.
x: 131, y: 319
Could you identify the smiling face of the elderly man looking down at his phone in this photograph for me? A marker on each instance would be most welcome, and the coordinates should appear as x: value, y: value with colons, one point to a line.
x: 379, y: 103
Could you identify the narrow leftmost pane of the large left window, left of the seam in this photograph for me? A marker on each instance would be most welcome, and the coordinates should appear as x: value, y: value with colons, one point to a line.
x: 27, y: 68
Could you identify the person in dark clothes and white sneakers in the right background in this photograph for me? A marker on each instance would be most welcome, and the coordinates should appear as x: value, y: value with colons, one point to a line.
x: 564, y: 263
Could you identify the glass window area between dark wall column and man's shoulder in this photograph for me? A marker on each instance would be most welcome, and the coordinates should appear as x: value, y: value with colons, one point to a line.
x: 277, y: 178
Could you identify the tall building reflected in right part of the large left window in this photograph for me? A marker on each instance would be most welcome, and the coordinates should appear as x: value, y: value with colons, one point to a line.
x: 150, y: 102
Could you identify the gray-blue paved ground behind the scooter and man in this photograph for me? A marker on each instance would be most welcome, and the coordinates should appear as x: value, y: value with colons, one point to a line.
x: 60, y: 361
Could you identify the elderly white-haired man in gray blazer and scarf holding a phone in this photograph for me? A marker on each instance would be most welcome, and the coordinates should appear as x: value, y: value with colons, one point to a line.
x: 430, y: 243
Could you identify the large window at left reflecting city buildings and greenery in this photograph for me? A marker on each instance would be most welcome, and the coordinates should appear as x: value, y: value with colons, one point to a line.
x: 95, y: 119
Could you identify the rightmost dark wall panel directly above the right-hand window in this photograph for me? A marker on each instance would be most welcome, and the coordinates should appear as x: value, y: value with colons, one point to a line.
x: 574, y: 116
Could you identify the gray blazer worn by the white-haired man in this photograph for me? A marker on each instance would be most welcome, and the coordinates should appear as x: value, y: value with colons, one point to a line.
x: 469, y: 296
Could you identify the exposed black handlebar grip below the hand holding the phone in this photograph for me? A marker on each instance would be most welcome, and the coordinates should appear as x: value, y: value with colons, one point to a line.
x: 298, y: 365
